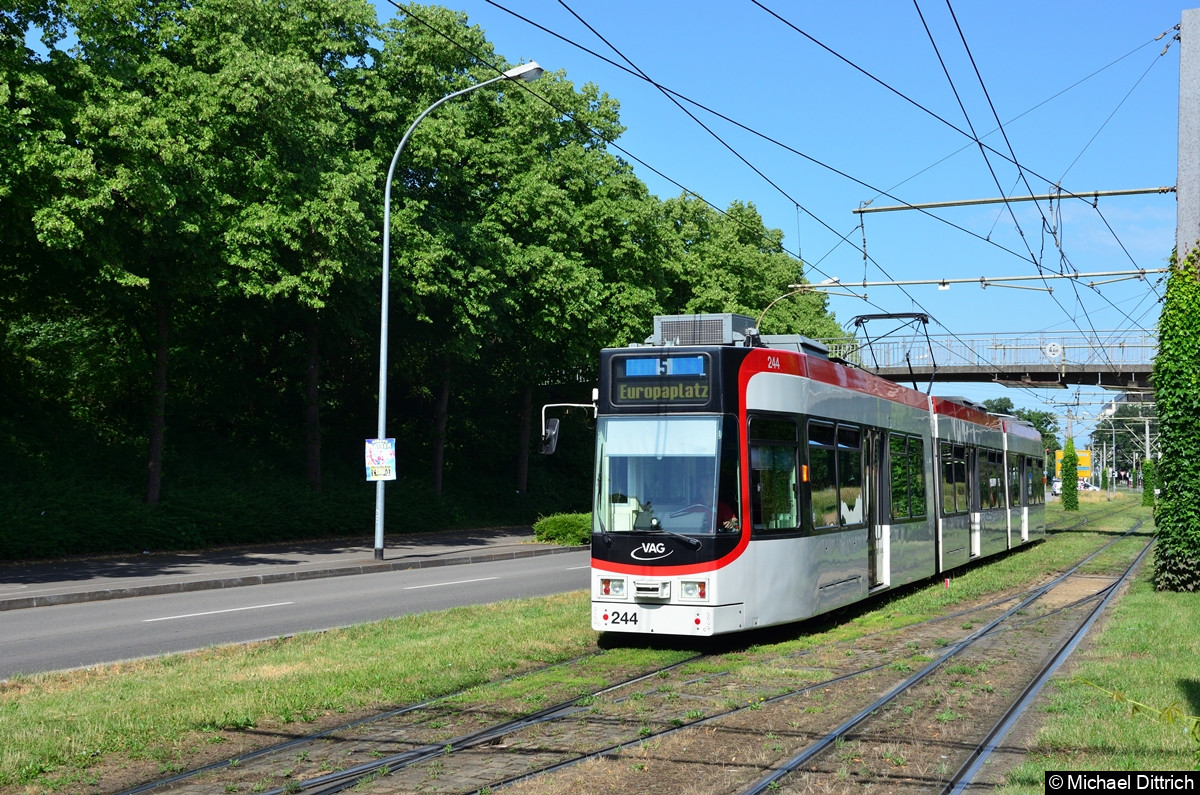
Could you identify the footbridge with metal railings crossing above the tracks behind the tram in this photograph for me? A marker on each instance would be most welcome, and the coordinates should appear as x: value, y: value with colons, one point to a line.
x: 1120, y: 361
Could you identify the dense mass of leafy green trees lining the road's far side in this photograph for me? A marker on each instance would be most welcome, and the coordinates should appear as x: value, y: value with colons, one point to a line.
x: 193, y: 195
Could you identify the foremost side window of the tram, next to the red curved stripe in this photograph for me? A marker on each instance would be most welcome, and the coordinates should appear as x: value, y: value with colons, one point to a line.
x: 773, y: 475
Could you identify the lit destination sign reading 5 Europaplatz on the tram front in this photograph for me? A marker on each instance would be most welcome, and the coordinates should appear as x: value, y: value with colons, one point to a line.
x: 679, y: 380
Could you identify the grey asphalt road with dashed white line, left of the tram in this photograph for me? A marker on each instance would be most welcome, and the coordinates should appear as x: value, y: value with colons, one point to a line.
x: 79, y: 636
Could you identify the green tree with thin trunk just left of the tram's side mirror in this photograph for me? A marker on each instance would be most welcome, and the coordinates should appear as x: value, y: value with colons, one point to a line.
x: 575, y: 238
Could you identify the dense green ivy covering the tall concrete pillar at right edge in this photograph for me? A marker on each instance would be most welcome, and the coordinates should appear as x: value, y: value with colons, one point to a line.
x: 1177, y: 378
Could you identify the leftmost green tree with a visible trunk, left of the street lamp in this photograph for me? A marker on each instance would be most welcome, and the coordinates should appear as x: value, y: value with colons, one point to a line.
x: 133, y: 205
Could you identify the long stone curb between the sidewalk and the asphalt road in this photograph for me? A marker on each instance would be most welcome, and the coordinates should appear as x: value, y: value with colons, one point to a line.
x: 380, y: 567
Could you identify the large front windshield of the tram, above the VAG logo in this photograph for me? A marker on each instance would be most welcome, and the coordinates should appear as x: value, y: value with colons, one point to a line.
x: 663, y: 474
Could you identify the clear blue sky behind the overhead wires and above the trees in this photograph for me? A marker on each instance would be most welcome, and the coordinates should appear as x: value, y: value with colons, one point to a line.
x: 1085, y: 97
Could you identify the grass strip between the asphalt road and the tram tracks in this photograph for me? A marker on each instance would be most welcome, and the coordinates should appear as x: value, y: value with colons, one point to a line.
x: 63, y: 730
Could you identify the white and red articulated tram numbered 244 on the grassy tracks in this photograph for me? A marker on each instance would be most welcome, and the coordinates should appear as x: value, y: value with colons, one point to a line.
x: 743, y: 482
